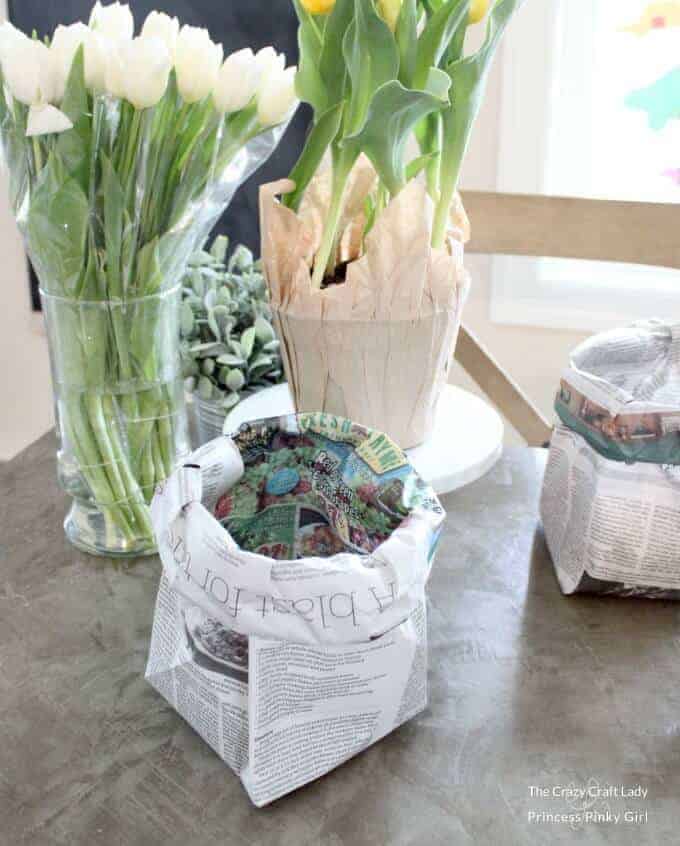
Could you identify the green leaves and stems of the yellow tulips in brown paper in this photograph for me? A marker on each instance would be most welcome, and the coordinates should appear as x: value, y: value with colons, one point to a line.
x: 372, y: 88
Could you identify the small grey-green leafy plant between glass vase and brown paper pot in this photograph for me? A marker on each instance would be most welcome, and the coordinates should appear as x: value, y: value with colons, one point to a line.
x: 229, y: 347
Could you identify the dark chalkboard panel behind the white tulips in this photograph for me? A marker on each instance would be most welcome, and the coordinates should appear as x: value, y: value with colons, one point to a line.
x: 236, y: 23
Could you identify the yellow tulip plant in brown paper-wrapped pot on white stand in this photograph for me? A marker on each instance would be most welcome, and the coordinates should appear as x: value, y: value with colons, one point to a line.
x: 364, y: 252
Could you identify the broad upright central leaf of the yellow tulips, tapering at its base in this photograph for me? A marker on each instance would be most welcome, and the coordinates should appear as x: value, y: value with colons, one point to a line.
x: 372, y: 59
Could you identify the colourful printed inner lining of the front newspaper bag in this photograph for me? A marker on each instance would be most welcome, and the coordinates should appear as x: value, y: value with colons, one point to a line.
x: 317, y: 465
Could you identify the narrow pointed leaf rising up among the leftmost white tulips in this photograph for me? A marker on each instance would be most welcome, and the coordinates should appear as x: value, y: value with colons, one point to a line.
x: 74, y: 145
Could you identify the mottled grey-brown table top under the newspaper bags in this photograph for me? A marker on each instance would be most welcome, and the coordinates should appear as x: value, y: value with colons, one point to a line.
x: 531, y: 694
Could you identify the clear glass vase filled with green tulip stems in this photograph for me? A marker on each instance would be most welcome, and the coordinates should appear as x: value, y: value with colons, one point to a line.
x: 120, y: 412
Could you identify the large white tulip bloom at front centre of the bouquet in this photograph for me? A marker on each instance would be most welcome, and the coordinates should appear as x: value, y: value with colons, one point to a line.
x: 138, y: 70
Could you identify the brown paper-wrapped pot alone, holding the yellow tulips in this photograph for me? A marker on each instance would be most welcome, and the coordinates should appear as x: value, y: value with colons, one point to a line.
x: 378, y: 347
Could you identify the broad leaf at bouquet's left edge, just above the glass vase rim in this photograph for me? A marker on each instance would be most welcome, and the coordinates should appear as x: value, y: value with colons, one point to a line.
x: 57, y: 227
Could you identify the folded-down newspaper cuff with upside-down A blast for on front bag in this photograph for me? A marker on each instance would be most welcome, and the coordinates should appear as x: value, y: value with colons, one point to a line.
x: 342, y: 599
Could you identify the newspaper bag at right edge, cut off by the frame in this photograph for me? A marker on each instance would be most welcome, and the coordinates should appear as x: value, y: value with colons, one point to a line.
x: 611, y: 496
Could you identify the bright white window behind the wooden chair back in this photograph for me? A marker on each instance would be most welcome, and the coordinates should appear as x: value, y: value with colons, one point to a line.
x: 601, y: 119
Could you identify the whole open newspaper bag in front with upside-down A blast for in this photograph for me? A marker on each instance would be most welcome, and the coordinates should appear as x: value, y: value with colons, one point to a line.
x: 290, y: 626
